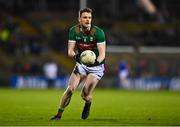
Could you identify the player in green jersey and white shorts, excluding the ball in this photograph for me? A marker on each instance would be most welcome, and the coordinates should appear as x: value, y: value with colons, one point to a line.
x: 84, y: 36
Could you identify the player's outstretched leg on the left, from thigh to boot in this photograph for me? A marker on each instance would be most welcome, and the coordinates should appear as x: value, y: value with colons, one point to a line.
x: 72, y: 85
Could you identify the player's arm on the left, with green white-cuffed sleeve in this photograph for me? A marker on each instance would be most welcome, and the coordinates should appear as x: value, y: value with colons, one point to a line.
x: 71, y: 43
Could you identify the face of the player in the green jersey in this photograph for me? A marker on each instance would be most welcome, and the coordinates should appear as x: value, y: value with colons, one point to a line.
x: 85, y: 19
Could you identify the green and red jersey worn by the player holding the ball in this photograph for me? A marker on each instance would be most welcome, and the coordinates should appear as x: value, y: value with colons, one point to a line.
x: 88, y: 40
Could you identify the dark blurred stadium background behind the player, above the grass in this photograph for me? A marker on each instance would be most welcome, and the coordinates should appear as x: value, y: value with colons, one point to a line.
x: 143, y: 42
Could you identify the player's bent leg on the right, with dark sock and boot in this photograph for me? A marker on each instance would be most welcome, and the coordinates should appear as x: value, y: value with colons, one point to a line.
x: 89, y: 85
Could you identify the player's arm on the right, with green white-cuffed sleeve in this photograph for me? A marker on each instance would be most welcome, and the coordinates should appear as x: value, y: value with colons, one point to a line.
x: 101, y: 46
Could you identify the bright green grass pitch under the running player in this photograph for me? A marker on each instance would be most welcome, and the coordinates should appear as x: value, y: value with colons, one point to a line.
x: 109, y: 108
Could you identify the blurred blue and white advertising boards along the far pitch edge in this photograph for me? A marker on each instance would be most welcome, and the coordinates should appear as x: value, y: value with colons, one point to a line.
x: 150, y: 83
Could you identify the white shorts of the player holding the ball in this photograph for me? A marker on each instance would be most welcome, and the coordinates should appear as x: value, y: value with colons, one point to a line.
x: 96, y: 71
